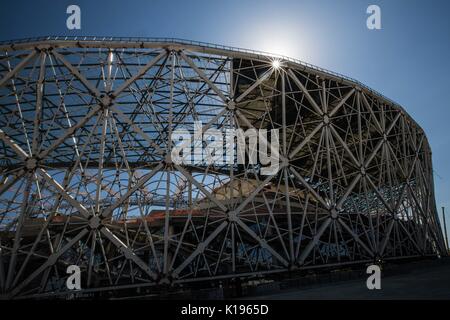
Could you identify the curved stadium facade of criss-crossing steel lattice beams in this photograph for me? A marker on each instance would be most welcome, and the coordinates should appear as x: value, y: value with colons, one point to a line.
x: 86, y: 177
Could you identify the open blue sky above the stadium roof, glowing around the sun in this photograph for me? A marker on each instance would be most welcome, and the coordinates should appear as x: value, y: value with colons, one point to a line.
x: 408, y: 60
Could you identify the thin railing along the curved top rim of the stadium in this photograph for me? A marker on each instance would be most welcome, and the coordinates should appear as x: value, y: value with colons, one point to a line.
x: 199, y: 44
